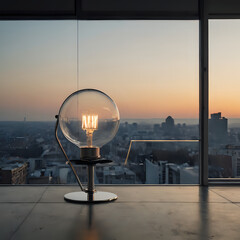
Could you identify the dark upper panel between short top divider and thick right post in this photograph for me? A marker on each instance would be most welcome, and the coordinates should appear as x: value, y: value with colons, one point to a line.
x: 142, y: 8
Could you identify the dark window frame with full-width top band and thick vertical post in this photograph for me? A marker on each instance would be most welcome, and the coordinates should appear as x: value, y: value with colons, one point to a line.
x: 201, y: 10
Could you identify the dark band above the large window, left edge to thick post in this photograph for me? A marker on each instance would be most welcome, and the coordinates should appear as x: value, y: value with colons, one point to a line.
x: 94, y: 9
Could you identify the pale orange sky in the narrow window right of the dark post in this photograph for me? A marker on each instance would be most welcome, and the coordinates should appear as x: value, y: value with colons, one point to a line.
x: 224, y: 65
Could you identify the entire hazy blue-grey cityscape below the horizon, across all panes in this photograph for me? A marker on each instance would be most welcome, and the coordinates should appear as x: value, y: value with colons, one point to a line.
x: 29, y: 153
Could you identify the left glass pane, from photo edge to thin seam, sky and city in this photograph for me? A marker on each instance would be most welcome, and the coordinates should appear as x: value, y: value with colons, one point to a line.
x: 37, y: 72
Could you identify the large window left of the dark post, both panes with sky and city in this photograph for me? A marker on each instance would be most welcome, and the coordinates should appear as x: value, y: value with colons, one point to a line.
x: 150, y: 69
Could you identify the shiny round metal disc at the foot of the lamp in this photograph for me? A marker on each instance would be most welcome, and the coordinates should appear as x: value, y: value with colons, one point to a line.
x: 83, y: 197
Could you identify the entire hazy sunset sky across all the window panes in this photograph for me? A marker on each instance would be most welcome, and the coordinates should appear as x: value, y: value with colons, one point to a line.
x: 150, y: 68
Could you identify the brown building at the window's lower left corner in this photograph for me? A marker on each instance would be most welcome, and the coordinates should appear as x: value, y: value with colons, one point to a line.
x: 13, y: 173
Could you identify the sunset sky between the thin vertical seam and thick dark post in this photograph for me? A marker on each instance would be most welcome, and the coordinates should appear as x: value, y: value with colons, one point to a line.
x: 150, y: 68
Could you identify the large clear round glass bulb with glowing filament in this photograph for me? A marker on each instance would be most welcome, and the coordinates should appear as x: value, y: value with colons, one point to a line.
x: 89, y: 118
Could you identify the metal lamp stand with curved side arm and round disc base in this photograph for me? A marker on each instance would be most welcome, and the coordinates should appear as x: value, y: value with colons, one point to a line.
x: 89, y: 195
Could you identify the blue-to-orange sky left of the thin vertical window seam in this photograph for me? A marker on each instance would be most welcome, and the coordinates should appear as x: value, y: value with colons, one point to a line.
x: 37, y: 68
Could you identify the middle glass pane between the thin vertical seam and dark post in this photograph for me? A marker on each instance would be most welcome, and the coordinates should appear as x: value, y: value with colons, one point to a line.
x: 150, y: 69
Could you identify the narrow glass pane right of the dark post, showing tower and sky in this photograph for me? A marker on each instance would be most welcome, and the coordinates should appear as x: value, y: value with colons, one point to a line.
x: 224, y: 119
